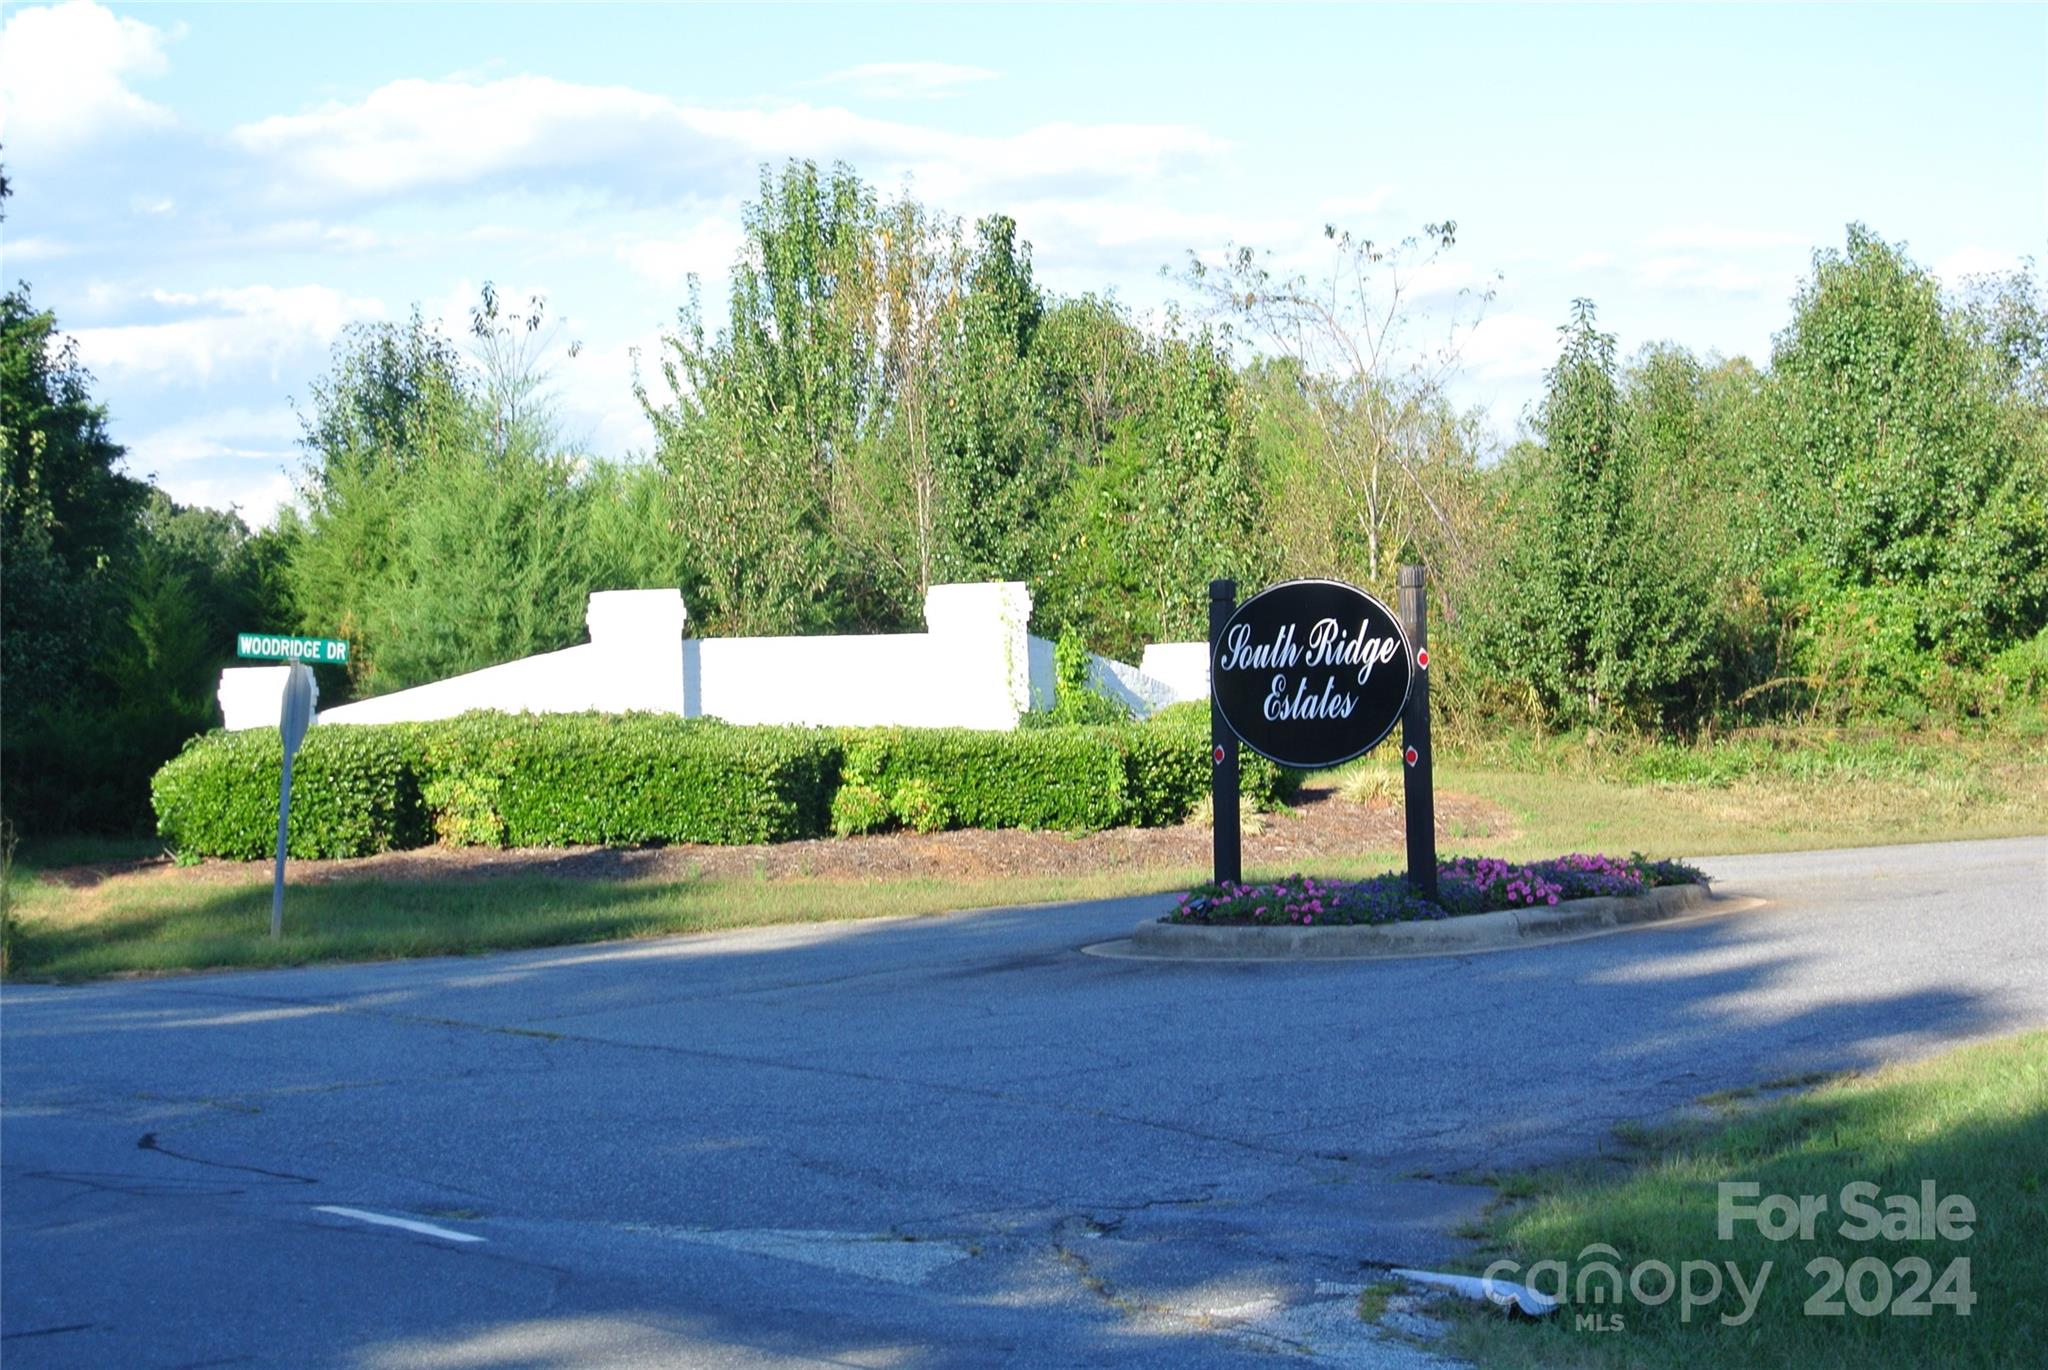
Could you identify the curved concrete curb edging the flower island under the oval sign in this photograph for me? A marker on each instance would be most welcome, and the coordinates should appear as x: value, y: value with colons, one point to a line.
x: 1474, y: 933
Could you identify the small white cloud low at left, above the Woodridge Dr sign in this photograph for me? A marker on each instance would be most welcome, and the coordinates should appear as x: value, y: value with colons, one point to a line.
x: 228, y: 331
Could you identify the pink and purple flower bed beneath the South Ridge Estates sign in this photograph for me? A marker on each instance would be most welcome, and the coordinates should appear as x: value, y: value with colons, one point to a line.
x: 1465, y: 886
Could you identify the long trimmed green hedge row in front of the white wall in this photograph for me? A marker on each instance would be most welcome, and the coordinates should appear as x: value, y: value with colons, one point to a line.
x: 490, y: 779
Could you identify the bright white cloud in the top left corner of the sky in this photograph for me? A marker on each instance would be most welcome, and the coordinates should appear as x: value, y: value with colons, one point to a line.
x: 65, y: 77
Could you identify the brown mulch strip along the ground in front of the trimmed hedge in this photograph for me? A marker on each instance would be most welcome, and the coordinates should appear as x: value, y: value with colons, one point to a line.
x: 1320, y: 824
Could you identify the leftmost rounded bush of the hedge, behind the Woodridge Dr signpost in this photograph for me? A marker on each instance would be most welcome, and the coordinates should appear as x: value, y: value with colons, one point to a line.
x: 355, y: 791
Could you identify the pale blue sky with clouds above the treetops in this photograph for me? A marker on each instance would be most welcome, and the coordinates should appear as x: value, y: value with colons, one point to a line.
x: 208, y: 196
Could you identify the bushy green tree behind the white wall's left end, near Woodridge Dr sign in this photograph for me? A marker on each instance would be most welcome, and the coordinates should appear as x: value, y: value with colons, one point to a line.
x: 443, y: 527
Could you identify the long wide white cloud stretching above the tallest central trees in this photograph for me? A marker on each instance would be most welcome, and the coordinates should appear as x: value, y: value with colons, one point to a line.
x: 419, y: 134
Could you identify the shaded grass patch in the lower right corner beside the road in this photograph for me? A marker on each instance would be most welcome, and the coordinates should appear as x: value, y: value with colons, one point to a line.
x: 1971, y: 1123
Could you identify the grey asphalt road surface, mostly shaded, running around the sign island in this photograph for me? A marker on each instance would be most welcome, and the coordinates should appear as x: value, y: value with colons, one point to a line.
x: 908, y: 1144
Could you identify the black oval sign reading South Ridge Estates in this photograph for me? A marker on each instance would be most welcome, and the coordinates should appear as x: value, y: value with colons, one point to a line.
x: 1312, y: 673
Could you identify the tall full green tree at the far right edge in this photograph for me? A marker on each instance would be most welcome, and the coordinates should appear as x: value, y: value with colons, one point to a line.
x: 1912, y: 476
